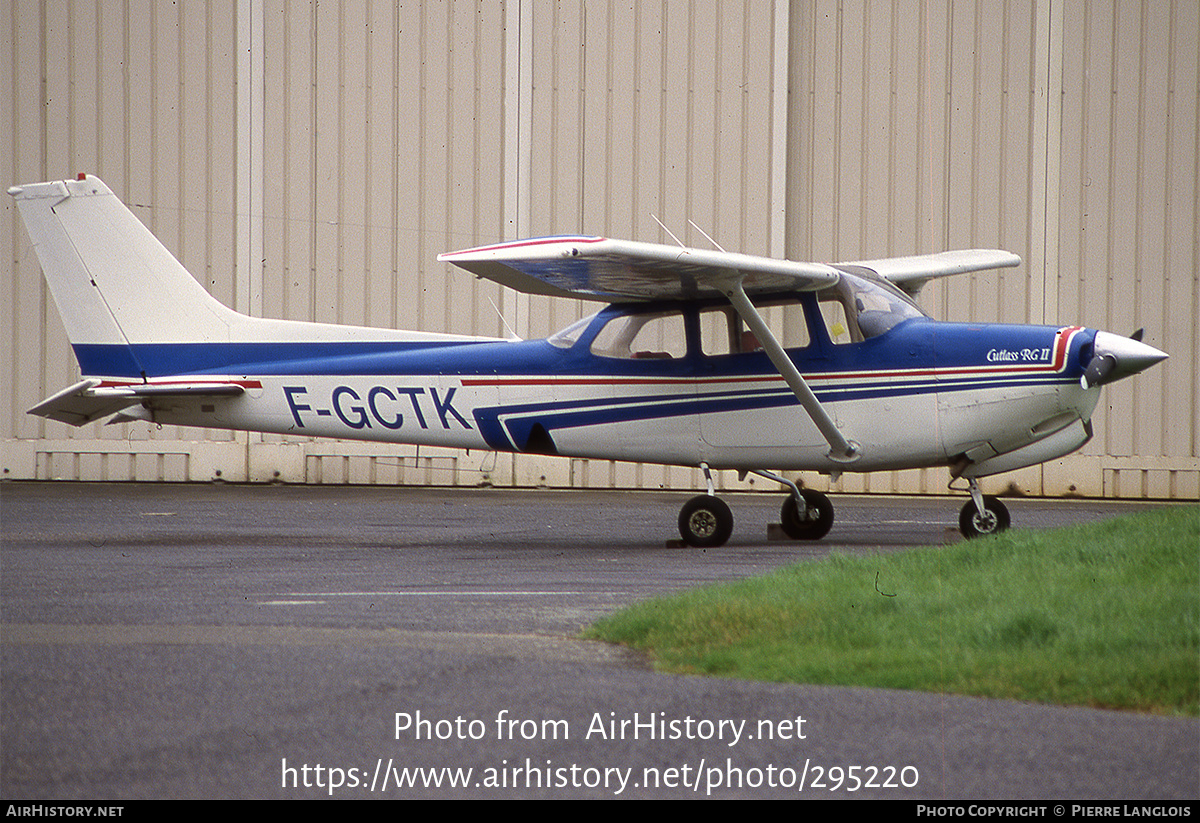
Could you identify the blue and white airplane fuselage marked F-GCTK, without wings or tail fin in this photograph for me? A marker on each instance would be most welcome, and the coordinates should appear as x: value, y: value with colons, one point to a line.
x: 916, y: 394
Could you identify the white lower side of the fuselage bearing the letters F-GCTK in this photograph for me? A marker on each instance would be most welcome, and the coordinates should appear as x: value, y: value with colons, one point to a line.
x: 652, y: 420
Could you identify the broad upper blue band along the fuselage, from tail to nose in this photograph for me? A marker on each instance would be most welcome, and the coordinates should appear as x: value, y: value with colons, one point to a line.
x: 982, y: 353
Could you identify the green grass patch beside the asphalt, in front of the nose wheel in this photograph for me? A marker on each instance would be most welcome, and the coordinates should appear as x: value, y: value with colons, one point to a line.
x: 1105, y: 615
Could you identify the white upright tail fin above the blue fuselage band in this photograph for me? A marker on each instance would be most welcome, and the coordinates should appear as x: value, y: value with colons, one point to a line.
x: 112, y: 280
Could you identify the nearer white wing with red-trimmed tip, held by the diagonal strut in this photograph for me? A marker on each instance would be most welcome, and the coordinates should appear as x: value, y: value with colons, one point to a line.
x: 623, y: 271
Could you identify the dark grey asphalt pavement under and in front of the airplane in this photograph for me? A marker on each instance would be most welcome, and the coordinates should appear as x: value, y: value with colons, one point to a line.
x: 211, y: 641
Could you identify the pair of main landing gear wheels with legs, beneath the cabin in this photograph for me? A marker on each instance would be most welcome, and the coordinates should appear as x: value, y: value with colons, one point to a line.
x: 706, y: 521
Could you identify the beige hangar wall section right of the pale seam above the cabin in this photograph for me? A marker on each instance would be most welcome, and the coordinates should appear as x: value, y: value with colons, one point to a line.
x: 1066, y: 133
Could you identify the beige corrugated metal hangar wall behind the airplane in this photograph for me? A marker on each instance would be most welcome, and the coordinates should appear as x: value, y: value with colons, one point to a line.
x: 310, y: 161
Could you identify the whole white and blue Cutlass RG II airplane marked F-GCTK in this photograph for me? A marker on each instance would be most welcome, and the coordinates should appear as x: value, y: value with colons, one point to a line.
x: 703, y: 358
